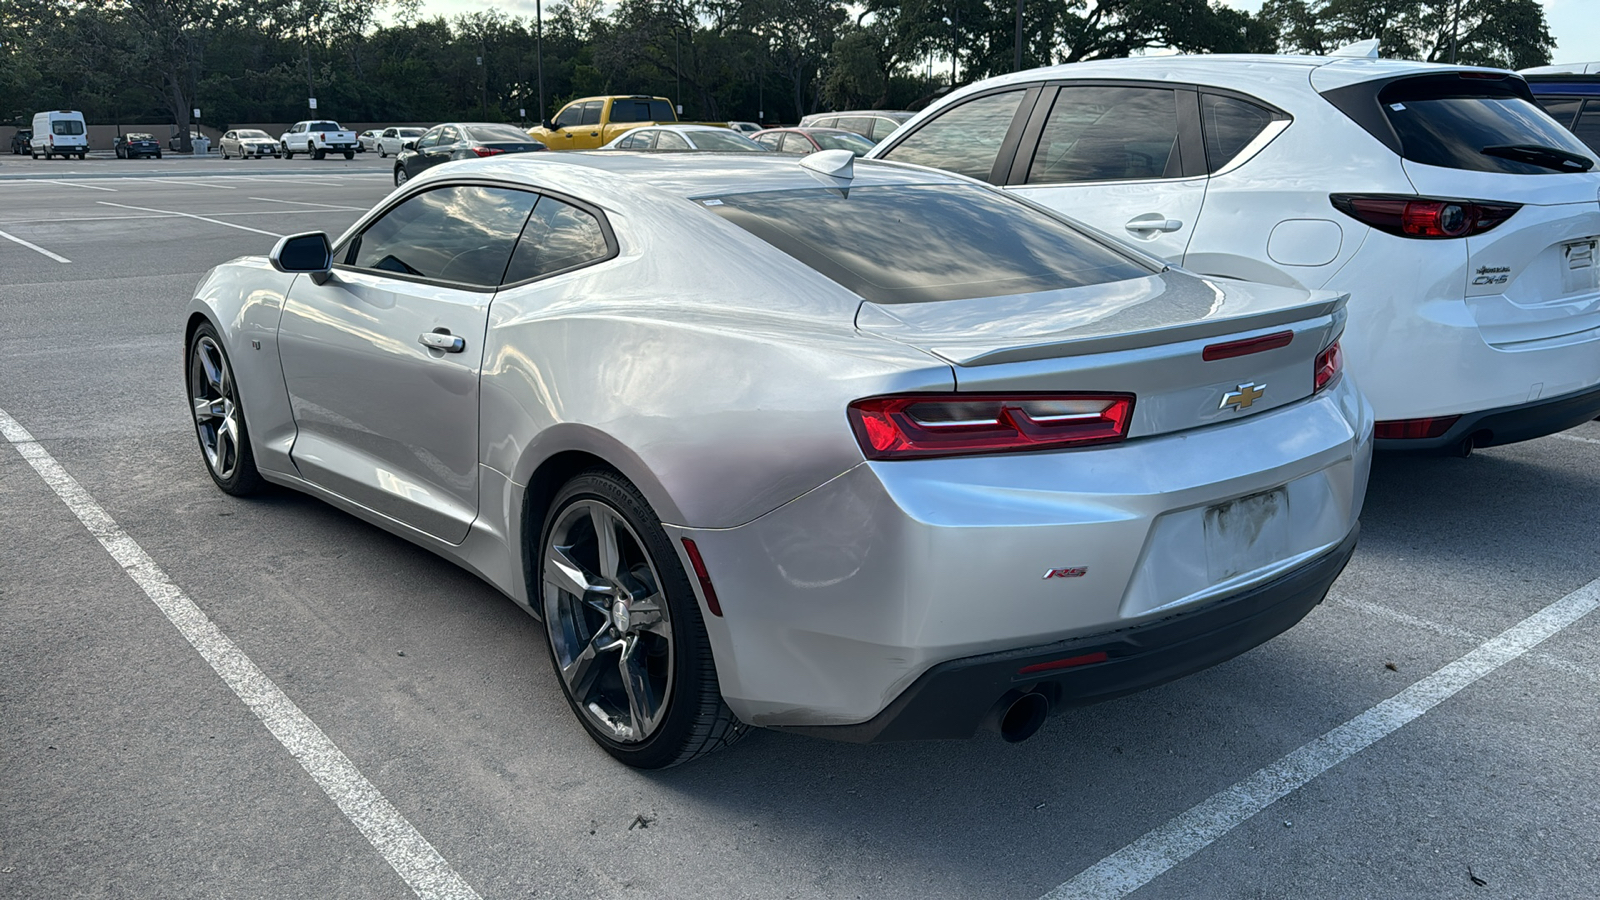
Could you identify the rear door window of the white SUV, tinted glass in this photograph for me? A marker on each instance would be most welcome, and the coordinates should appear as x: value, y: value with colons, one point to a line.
x: 1098, y: 134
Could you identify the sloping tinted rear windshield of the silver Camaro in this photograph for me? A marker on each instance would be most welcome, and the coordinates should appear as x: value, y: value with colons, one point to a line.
x: 926, y: 243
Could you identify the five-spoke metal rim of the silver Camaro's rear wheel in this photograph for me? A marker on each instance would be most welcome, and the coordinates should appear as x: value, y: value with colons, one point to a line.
x: 609, y: 622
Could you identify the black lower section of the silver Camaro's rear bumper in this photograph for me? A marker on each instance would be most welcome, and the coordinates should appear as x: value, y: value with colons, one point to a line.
x: 951, y: 701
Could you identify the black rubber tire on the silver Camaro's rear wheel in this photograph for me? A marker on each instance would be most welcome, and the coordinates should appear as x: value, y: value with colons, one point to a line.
x: 694, y: 718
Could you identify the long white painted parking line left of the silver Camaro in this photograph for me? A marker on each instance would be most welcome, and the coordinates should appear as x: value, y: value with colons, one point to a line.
x: 391, y: 834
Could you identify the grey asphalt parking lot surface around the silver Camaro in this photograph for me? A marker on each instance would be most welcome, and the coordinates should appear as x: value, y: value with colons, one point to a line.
x: 1428, y: 733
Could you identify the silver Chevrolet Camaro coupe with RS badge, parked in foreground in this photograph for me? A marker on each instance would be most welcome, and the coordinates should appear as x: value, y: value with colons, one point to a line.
x: 850, y: 449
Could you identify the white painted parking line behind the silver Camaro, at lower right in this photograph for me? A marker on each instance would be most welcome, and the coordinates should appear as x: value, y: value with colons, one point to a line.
x: 1146, y: 859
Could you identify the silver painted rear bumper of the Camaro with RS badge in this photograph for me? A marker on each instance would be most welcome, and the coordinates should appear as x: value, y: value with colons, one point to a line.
x: 839, y: 601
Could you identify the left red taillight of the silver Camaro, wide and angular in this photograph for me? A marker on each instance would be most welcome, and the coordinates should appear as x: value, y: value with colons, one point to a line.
x: 956, y: 425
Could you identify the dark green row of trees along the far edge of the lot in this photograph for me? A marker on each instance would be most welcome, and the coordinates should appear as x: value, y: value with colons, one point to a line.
x: 772, y: 60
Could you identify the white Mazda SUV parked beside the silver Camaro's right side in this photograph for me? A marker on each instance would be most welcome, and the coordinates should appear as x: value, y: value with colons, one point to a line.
x: 1462, y: 220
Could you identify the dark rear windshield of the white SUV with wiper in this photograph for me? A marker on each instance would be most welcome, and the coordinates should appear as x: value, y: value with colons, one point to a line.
x: 1479, y: 126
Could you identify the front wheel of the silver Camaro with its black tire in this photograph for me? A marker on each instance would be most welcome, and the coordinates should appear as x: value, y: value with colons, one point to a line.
x: 231, y: 462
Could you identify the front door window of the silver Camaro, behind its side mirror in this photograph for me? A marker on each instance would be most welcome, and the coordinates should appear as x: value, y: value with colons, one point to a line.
x: 460, y: 235
